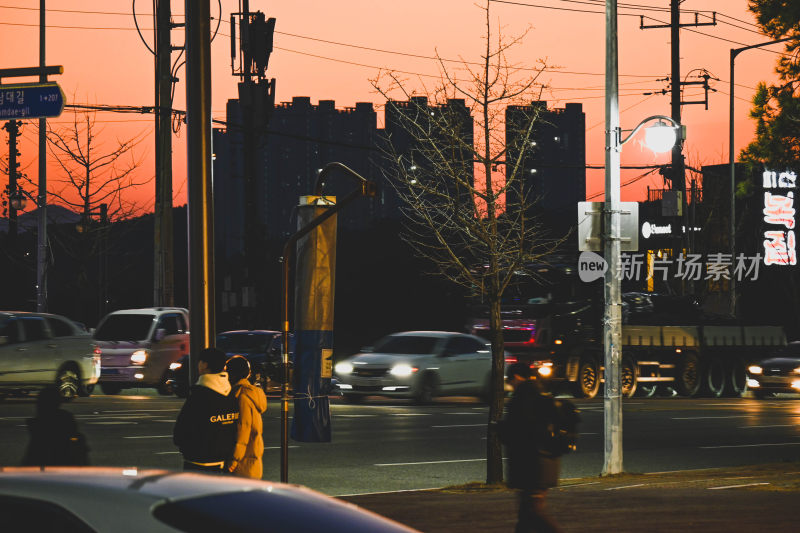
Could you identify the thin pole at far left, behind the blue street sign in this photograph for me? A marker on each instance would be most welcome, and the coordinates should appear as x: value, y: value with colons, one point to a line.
x: 41, y: 202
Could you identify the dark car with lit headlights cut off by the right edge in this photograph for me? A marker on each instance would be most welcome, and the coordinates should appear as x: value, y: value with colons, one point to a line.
x: 778, y: 373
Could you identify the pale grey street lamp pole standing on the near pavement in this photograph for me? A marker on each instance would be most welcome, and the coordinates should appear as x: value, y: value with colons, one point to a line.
x: 612, y: 319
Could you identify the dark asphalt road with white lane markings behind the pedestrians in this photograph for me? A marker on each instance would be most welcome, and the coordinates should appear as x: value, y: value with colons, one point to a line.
x: 394, y: 446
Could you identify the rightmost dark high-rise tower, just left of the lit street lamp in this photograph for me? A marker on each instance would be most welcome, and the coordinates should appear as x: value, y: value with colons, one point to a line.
x: 553, y: 178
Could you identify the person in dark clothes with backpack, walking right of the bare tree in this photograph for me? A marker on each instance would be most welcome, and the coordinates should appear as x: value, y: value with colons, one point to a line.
x: 524, y: 431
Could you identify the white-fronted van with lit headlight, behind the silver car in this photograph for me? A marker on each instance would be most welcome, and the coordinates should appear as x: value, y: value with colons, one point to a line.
x: 137, y: 347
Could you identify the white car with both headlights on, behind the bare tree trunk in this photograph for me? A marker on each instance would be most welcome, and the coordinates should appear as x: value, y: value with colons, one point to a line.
x: 419, y: 365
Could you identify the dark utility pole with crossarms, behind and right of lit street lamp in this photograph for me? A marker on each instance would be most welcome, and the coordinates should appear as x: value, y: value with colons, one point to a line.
x: 678, y: 176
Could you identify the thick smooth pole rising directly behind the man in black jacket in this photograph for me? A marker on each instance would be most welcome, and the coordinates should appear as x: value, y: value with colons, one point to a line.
x: 202, y: 310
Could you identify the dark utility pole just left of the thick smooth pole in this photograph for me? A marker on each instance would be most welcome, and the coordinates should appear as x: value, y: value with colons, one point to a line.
x: 163, y: 264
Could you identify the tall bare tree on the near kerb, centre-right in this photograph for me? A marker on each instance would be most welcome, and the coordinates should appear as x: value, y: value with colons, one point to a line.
x: 454, y: 169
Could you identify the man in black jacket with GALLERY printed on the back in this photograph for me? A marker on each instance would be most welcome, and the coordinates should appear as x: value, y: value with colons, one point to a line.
x: 205, y: 431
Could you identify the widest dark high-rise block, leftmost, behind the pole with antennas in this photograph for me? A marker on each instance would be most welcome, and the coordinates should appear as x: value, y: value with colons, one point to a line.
x: 299, y: 141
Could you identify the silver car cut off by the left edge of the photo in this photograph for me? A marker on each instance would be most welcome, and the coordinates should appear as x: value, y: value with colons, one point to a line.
x: 41, y: 349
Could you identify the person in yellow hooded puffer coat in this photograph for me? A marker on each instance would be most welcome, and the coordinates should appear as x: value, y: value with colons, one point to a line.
x: 249, y: 448
